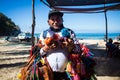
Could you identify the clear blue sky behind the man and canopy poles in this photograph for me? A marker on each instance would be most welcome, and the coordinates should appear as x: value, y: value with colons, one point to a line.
x: 20, y: 12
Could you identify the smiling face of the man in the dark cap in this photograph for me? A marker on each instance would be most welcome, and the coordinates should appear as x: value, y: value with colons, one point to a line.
x: 55, y: 21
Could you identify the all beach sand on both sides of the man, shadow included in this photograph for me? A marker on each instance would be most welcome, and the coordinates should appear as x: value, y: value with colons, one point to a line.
x: 13, y: 55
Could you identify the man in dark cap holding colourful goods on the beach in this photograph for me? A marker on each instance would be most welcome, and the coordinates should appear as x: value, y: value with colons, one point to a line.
x: 57, y: 55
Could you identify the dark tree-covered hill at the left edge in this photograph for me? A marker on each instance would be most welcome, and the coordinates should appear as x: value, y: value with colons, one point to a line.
x: 8, y: 27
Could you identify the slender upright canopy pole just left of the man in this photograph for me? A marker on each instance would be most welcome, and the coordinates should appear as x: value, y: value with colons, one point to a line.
x: 33, y: 23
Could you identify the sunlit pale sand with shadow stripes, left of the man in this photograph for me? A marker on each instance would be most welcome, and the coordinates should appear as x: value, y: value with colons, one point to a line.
x: 13, y: 55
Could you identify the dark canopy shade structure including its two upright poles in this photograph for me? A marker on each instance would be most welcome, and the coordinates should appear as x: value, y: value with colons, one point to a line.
x: 69, y: 6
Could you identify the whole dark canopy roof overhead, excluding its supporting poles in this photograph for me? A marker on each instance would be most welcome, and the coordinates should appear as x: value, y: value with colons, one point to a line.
x: 94, y: 5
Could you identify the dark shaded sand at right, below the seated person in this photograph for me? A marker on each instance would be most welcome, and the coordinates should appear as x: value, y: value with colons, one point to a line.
x: 106, y: 66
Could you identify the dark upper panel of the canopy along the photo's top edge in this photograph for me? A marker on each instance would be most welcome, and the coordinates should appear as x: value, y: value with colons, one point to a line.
x: 79, y: 2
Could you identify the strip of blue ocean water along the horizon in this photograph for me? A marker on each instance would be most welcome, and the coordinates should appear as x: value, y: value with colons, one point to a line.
x: 91, y: 35
